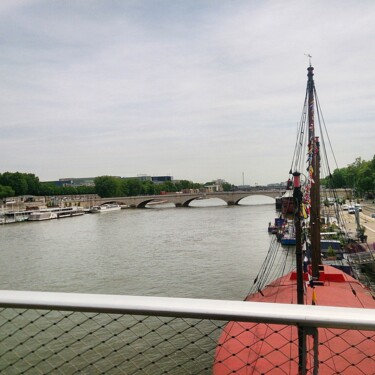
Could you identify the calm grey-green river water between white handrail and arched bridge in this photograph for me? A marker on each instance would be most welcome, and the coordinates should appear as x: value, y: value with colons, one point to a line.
x: 198, y: 252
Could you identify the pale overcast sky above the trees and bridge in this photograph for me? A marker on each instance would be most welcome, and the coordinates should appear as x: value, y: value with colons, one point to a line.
x: 198, y: 90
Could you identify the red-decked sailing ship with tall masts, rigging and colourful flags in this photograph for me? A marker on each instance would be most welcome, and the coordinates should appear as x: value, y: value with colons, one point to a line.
x: 302, y: 278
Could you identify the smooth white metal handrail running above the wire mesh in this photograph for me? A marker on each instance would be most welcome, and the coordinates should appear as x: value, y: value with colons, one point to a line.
x: 309, y: 316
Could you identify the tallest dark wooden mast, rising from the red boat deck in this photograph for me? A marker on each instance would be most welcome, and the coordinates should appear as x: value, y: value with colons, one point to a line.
x: 314, y: 172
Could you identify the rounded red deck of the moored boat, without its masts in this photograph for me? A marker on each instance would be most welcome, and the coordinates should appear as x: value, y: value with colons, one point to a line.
x: 258, y: 348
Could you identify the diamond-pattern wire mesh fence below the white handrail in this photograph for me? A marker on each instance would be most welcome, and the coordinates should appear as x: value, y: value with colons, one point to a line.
x: 36, y: 341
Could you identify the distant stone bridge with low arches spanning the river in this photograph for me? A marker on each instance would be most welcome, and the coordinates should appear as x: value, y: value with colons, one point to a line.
x: 183, y: 200
